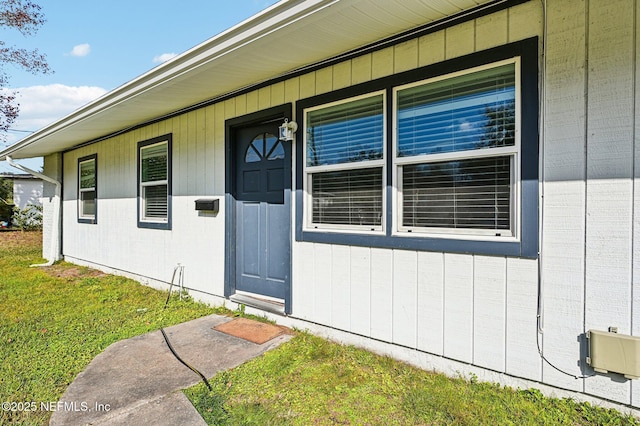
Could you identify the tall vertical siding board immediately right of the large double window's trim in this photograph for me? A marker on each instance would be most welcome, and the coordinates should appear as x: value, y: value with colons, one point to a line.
x: 564, y: 165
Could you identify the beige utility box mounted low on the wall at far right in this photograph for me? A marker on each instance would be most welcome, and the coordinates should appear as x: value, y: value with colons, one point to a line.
x: 610, y: 352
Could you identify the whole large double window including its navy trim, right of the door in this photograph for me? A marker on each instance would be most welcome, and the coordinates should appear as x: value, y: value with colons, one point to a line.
x: 441, y: 158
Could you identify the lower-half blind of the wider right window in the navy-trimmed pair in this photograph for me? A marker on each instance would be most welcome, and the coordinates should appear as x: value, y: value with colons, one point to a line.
x: 474, y: 193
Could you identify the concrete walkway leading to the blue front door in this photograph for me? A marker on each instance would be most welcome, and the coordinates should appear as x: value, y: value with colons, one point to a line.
x: 138, y: 380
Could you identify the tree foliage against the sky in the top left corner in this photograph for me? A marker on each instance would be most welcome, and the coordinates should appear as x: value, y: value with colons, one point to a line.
x: 26, y: 17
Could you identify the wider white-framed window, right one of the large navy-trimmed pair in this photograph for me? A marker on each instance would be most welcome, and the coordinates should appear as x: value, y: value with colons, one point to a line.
x: 456, y: 152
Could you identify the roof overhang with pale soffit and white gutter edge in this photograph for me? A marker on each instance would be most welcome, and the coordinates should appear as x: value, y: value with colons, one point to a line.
x: 287, y: 36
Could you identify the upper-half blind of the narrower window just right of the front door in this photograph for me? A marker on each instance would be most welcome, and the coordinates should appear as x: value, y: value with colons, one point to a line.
x: 344, y: 133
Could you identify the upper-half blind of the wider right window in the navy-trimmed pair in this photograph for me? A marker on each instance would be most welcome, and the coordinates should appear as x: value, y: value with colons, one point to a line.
x: 467, y: 112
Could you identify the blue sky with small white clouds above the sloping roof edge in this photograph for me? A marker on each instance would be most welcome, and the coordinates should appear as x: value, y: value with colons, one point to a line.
x: 94, y: 47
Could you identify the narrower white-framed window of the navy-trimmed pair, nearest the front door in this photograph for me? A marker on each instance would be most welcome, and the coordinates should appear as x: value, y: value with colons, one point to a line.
x: 344, y: 164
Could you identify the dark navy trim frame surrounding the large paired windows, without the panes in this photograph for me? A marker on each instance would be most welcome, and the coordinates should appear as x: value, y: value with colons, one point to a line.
x: 527, y: 243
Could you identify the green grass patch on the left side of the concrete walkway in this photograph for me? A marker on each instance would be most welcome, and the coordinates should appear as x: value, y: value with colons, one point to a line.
x: 54, y: 321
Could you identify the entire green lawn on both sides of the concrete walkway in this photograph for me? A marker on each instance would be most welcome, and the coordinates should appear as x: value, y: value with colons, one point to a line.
x: 53, y: 321
